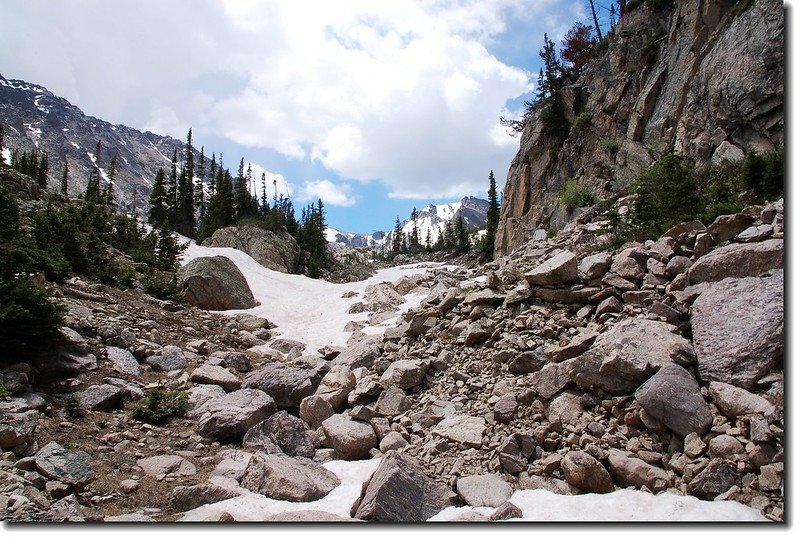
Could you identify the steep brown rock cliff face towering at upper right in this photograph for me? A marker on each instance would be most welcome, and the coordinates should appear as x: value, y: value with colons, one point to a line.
x: 704, y: 75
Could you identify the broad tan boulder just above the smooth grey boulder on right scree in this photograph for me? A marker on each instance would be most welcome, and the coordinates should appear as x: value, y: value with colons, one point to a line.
x: 621, y: 359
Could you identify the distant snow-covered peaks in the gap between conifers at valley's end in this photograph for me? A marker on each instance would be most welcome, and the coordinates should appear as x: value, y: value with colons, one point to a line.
x: 432, y: 219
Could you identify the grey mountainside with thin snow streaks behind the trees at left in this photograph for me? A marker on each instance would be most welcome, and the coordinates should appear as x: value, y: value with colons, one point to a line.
x: 35, y: 118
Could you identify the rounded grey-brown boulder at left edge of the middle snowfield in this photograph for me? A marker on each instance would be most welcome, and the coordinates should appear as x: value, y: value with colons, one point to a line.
x: 215, y: 283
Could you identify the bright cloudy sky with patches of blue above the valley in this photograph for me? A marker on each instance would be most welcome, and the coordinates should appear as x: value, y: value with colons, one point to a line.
x: 376, y: 107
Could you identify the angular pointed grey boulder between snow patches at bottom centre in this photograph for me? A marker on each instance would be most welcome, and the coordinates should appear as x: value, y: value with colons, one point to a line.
x: 400, y: 492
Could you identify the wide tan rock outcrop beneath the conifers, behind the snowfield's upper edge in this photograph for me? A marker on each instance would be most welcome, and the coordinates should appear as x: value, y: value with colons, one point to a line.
x: 274, y: 250
